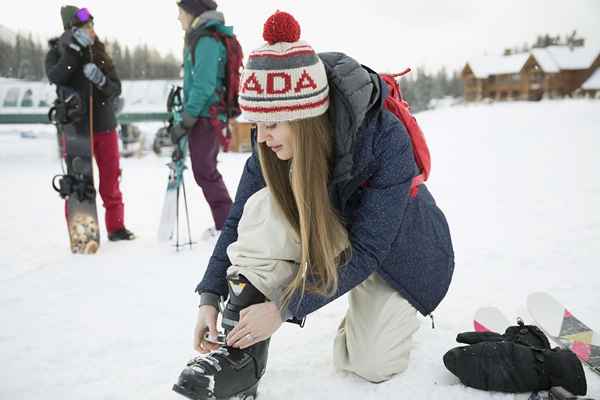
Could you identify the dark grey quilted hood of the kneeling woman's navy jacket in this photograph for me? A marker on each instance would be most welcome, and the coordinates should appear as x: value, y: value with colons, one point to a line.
x: 356, y: 96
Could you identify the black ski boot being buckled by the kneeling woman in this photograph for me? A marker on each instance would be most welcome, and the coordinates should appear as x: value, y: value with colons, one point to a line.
x: 228, y: 372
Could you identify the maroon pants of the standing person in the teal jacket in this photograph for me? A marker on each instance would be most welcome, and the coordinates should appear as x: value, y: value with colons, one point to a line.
x: 204, y: 147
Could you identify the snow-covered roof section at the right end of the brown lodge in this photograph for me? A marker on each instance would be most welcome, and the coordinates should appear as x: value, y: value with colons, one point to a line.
x: 555, y: 58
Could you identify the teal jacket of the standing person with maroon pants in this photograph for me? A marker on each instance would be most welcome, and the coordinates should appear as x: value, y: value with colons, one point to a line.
x: 204, y: 77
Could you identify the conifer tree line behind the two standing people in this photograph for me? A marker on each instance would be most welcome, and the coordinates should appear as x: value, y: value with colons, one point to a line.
x: 24, y: 59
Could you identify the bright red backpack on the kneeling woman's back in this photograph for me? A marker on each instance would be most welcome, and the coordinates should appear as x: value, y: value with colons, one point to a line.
x: 400, y: 108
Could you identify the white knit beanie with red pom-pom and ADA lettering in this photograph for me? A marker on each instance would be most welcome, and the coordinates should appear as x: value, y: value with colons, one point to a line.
x: 284, y: 80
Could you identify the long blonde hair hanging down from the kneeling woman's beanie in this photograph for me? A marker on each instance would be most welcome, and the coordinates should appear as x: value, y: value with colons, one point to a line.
x: 299, y: 187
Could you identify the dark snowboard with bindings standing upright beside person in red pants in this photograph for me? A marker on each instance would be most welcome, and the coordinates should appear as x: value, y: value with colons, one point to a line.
x: 77, y: 185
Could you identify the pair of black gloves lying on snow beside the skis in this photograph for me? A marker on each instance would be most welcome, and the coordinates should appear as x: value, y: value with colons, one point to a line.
x: 518, y: 361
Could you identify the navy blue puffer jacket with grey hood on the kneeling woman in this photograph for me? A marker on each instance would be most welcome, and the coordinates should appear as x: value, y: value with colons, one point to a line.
x: 406, y: 240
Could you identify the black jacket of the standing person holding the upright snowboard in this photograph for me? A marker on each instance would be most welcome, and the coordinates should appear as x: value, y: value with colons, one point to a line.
x: 64, y: 67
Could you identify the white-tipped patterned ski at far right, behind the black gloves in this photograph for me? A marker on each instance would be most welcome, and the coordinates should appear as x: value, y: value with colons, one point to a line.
x: 565, y: 329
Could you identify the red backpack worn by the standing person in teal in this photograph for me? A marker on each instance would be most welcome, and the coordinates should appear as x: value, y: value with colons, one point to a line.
x: 233, y: 70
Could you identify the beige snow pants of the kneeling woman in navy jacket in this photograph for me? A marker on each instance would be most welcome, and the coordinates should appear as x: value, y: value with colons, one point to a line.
x: 374, y: 338
